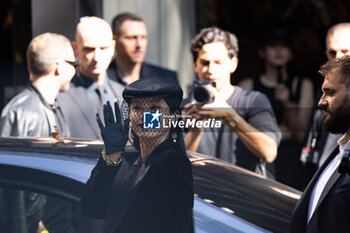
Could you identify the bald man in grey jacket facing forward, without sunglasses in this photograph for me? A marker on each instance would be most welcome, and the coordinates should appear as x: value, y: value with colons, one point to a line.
x: 90, y: 88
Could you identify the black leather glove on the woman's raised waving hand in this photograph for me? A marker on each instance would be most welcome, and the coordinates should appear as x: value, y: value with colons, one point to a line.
x: 113, y: 134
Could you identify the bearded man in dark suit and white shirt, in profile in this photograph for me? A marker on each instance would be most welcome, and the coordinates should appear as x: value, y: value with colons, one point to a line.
x: 325, y: 203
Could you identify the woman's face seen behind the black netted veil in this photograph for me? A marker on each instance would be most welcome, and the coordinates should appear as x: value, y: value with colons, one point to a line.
x: 153, y: 109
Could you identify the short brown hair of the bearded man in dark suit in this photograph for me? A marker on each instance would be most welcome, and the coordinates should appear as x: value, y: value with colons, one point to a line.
x: 341, y: 66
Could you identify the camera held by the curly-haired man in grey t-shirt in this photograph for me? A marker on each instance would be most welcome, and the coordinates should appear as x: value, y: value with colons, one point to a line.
x: 200, y: 94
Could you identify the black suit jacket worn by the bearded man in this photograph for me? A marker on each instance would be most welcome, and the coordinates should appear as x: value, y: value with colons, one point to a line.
x: 332, y: 213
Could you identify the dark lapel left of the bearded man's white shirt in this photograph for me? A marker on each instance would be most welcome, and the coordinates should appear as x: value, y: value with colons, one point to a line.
x: 299, y: 219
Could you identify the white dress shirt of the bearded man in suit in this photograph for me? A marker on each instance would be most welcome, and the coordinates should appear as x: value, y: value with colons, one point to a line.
x: 325, y: 176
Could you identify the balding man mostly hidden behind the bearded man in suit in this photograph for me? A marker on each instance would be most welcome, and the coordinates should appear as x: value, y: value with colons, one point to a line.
x: 319, y: 144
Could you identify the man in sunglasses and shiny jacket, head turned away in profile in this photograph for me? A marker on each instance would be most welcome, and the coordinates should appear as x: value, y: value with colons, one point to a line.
x: 34, y: 112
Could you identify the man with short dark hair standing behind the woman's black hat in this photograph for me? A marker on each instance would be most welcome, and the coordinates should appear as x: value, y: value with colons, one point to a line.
x: 130, y: 34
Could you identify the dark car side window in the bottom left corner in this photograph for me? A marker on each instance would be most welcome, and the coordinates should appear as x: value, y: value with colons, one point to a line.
x: 24, y: 211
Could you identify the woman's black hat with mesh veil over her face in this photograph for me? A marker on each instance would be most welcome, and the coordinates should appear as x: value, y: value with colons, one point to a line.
x: 152, y: 106
